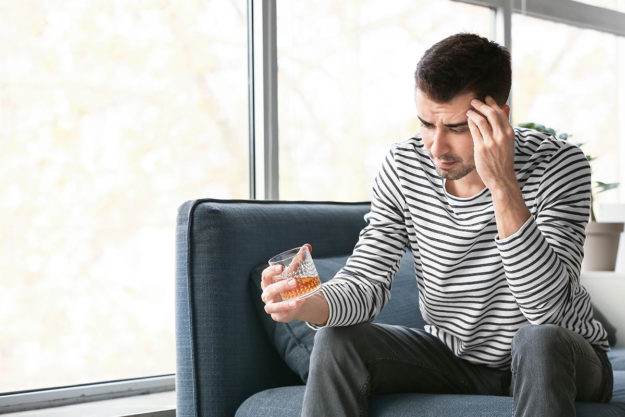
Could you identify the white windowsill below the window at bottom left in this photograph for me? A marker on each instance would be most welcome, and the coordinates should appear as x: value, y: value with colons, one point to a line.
x: 161, y: 404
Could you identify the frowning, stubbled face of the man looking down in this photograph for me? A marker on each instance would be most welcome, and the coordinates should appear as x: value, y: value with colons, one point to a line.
x: 446, y: 135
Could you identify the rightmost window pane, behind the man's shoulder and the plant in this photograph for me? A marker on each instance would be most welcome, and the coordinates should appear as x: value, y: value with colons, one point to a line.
x: 572, y: 80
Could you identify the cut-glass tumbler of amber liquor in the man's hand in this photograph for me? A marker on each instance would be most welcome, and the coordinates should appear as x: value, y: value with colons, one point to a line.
x: 297, y: 264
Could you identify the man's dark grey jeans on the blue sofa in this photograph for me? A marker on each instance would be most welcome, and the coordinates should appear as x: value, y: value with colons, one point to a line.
x: 551, y: 368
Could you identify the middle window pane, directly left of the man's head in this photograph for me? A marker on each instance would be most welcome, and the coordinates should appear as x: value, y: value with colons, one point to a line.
x: 346, y: 86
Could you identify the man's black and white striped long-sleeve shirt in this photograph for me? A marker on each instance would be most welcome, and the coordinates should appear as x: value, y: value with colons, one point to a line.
x: 475, y: 290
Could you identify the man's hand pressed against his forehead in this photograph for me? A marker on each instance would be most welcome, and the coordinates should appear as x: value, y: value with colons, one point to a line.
x: 493, y: 143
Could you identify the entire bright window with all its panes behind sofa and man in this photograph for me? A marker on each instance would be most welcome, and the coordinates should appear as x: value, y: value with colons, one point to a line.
x: 115, y: 112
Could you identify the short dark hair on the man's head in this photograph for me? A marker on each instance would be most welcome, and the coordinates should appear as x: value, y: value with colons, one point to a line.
x: 464, y: 63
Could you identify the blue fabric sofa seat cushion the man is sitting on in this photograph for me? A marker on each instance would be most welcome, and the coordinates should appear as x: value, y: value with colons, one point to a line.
x: 286, y: 401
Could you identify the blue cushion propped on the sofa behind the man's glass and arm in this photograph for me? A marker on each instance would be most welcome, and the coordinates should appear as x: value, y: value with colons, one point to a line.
x: 294, y: 341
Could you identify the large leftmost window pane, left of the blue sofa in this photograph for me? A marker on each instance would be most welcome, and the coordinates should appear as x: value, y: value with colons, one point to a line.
x: 113, y: 114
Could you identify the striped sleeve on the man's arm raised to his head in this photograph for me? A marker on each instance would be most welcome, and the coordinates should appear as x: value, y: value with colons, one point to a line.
x: 542, y: 260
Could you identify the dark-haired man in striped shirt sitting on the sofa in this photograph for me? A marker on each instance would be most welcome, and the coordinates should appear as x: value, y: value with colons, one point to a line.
x: 495, y: 219
